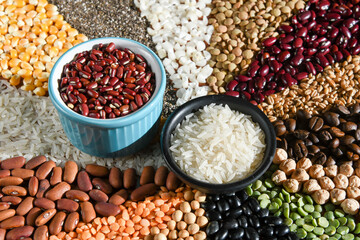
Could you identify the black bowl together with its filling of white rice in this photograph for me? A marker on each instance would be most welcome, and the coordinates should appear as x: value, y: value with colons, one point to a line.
x: 218, y: 143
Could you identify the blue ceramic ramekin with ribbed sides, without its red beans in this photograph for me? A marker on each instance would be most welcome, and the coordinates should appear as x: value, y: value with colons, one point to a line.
x: 110, y: 137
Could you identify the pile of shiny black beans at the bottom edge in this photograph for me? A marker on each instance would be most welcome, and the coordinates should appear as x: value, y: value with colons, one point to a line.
x: 238, y: 216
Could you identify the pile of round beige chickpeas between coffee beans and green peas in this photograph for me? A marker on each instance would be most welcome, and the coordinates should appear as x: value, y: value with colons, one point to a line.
x: 338, y: 184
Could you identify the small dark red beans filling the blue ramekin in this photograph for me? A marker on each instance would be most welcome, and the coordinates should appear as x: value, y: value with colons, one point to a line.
x: 106, y: 82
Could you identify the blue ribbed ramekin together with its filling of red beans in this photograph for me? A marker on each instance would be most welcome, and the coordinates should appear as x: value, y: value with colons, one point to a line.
x: 108, y: 93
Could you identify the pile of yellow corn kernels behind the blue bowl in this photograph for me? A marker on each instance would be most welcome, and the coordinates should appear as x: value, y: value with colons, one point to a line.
x: 32, y: 37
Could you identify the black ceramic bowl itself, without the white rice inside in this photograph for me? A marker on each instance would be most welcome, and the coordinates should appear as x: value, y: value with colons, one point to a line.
x: 235, y: 104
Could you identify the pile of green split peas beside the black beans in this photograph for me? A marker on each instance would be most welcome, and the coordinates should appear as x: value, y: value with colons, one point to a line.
x: 307, y: 219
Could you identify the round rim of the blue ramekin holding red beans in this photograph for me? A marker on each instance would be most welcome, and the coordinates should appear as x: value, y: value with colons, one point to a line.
x: 106, y: 123
